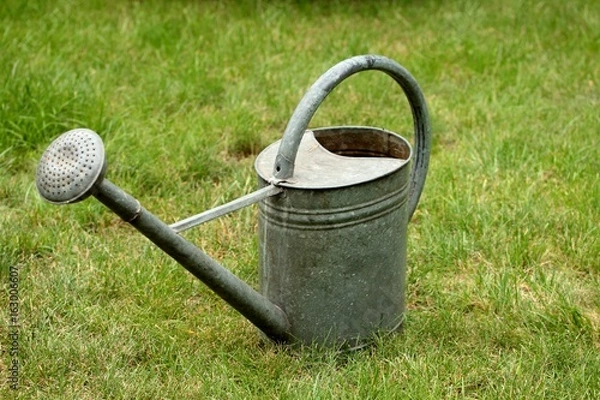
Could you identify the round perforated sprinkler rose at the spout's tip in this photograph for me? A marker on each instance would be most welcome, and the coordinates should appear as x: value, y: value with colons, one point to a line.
x: 71, y: 167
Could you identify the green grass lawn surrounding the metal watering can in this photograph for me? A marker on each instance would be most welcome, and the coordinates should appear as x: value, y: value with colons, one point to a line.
x: 503, y: 286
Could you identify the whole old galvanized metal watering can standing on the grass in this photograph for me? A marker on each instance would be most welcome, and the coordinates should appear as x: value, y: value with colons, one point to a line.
x: 334, y: 205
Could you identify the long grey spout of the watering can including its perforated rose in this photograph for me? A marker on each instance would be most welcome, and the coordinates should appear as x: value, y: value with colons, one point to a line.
x: 66, y: 174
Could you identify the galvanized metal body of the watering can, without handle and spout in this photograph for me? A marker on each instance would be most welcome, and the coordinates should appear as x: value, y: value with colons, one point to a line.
x: 333, y: 258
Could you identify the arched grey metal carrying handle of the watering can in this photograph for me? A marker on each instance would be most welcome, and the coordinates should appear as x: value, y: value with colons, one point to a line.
x: 298, y: 123
